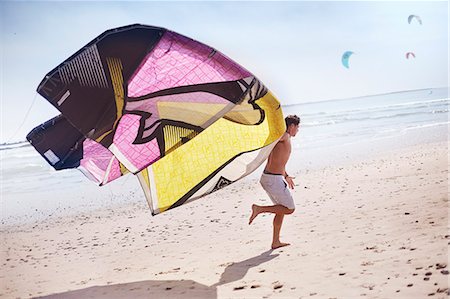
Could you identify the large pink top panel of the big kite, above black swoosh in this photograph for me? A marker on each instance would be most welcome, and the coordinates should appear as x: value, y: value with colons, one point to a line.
x: 180, y: 61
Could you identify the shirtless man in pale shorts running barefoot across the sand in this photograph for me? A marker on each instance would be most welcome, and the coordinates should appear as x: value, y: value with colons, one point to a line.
x: 273, y: 183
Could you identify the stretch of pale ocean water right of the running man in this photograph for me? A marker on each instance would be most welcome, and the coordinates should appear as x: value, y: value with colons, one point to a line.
x: 340, y: 130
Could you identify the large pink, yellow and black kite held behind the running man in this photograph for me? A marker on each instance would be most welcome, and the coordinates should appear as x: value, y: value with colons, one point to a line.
x: 183, y: 117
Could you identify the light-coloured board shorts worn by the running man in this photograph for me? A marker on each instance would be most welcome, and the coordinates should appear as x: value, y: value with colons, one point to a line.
x: 276, y: 188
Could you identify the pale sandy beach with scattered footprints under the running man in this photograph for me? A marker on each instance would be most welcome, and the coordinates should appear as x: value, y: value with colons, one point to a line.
x: 374, y: 228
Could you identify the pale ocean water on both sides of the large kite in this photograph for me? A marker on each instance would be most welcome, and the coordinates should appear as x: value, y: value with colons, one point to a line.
x: 331, y: 132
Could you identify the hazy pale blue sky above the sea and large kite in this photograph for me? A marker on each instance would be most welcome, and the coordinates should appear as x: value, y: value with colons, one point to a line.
x: 295, y: 48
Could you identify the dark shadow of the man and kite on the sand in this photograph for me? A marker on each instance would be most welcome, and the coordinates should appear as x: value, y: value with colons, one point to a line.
x: 169, y: 288
